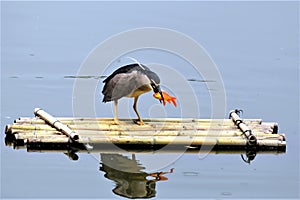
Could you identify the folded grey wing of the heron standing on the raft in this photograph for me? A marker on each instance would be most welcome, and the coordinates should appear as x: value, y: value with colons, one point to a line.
x: 120, y: 86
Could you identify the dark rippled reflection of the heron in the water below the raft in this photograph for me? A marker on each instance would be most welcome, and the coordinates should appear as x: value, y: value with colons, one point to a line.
x: 131, y: 181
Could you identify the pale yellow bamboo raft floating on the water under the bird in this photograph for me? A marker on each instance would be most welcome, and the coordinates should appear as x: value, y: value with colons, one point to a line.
x: 45, y: 133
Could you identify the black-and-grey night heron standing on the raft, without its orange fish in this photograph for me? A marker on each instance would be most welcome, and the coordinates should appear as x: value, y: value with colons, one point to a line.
x: 130, y: 81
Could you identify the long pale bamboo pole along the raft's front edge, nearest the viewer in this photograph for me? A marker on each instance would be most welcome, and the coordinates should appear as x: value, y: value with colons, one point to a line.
x: 161, y: 140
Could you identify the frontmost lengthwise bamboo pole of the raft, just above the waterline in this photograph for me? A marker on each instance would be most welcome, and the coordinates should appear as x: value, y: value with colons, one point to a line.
x: 151, y: 142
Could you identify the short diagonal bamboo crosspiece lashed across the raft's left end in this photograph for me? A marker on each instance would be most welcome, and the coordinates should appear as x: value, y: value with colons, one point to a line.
x: 55, y: 123
